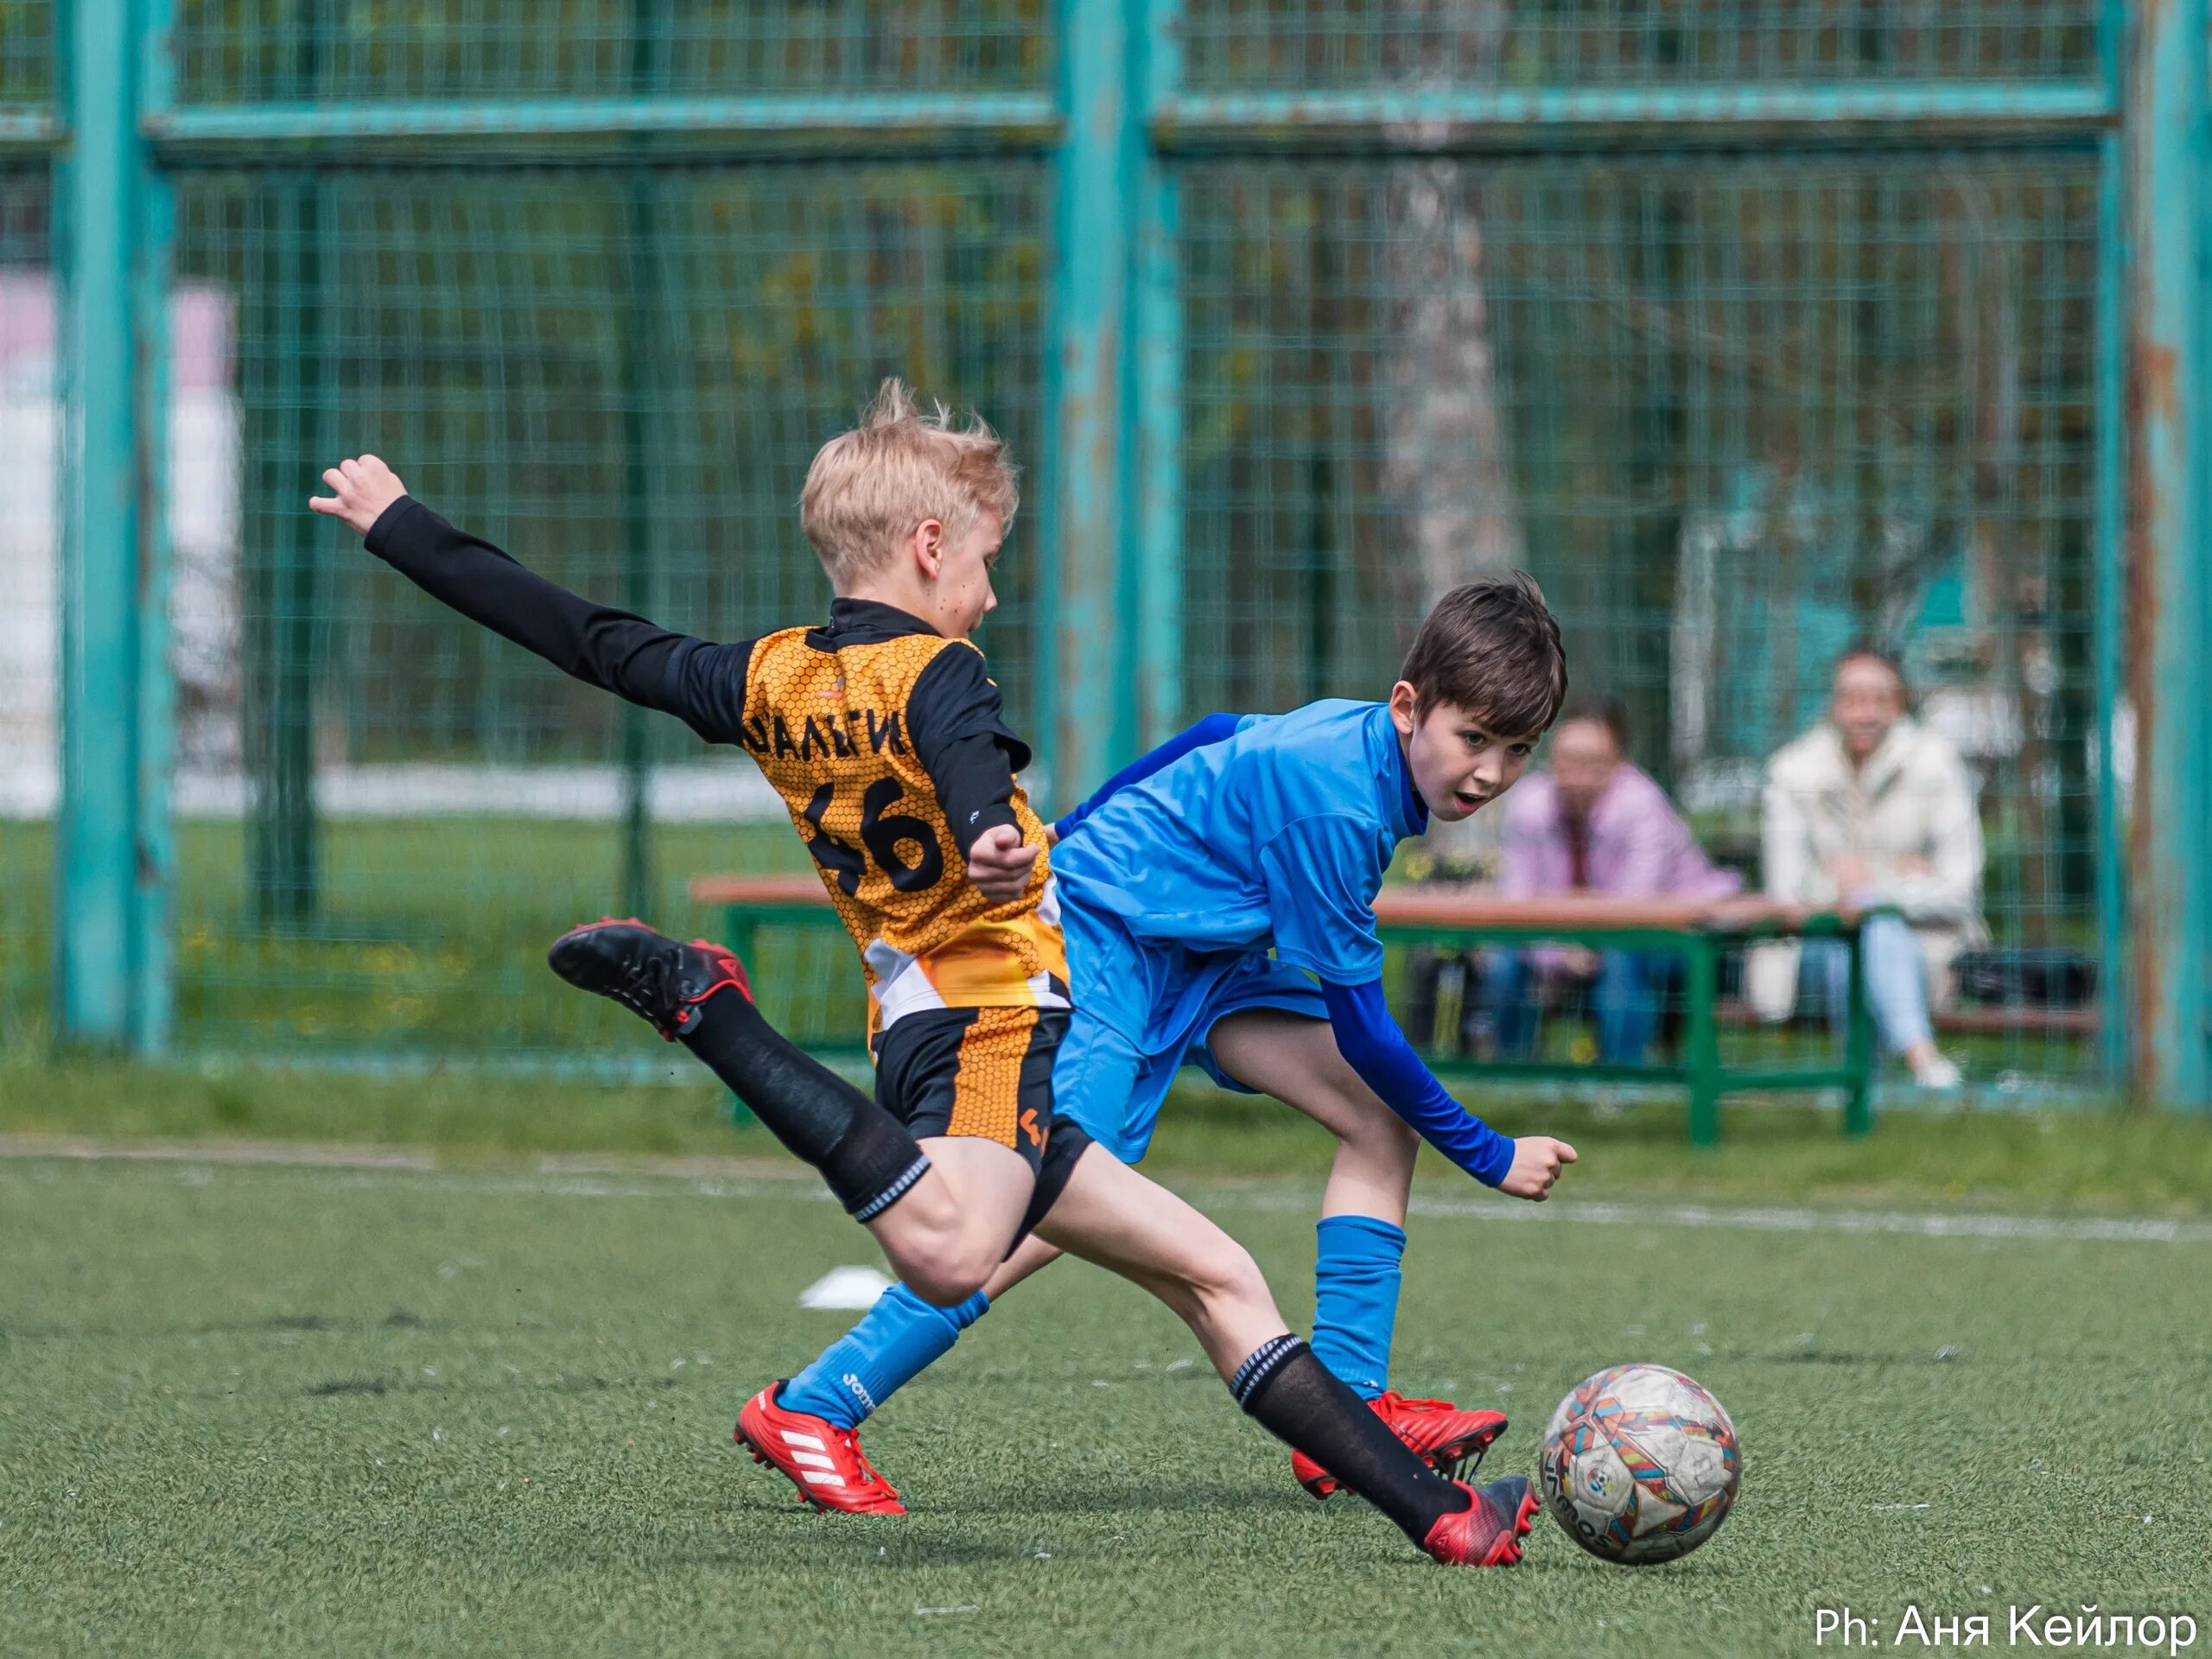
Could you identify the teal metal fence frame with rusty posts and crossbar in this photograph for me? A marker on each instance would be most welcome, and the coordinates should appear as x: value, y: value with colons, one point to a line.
x: 1112, y: 654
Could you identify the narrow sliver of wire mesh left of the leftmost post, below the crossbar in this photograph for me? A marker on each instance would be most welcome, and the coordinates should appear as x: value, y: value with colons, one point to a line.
x: 30, y: 592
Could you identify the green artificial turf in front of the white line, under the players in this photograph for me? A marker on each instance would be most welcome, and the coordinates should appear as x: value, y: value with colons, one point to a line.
x: 289, y: 1410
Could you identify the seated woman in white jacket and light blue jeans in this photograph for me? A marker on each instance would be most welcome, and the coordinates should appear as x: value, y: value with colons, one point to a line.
x: 1872, y: 808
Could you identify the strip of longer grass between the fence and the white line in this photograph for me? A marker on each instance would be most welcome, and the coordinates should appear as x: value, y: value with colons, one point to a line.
x: 2080, y: 1162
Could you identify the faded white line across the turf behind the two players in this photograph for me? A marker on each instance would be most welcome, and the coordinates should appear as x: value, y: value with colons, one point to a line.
x: 353, y: 1167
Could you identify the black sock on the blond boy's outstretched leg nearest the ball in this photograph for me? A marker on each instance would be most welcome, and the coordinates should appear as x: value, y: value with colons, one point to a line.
x: 1306, y: 1406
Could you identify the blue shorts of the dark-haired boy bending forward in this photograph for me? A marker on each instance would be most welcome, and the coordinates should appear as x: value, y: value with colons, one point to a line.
x: 1142, y: 1012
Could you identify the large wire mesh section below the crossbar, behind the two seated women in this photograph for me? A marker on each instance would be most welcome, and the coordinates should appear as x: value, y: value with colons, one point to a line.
x: 1735, y: 415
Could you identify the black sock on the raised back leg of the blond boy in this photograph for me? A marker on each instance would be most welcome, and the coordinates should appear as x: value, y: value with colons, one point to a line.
x: 866, y: 1156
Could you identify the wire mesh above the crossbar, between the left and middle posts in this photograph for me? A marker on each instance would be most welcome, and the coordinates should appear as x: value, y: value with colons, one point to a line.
x: 278, y: 50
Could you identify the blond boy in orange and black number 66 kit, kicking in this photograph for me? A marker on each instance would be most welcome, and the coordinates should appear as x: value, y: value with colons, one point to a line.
x: 886, y: 740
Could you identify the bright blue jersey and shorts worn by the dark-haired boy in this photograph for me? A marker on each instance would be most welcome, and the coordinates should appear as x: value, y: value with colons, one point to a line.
x: 1238, y: 868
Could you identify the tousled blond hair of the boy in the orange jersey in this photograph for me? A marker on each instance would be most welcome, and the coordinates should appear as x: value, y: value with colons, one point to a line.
x: 899, y: 468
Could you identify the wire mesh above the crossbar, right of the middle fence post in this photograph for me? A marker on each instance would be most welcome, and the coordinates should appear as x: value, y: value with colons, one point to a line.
x: 1335, y: 45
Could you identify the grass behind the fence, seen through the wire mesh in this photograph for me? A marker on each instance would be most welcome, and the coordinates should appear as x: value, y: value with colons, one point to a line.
x: 430, y: 937
